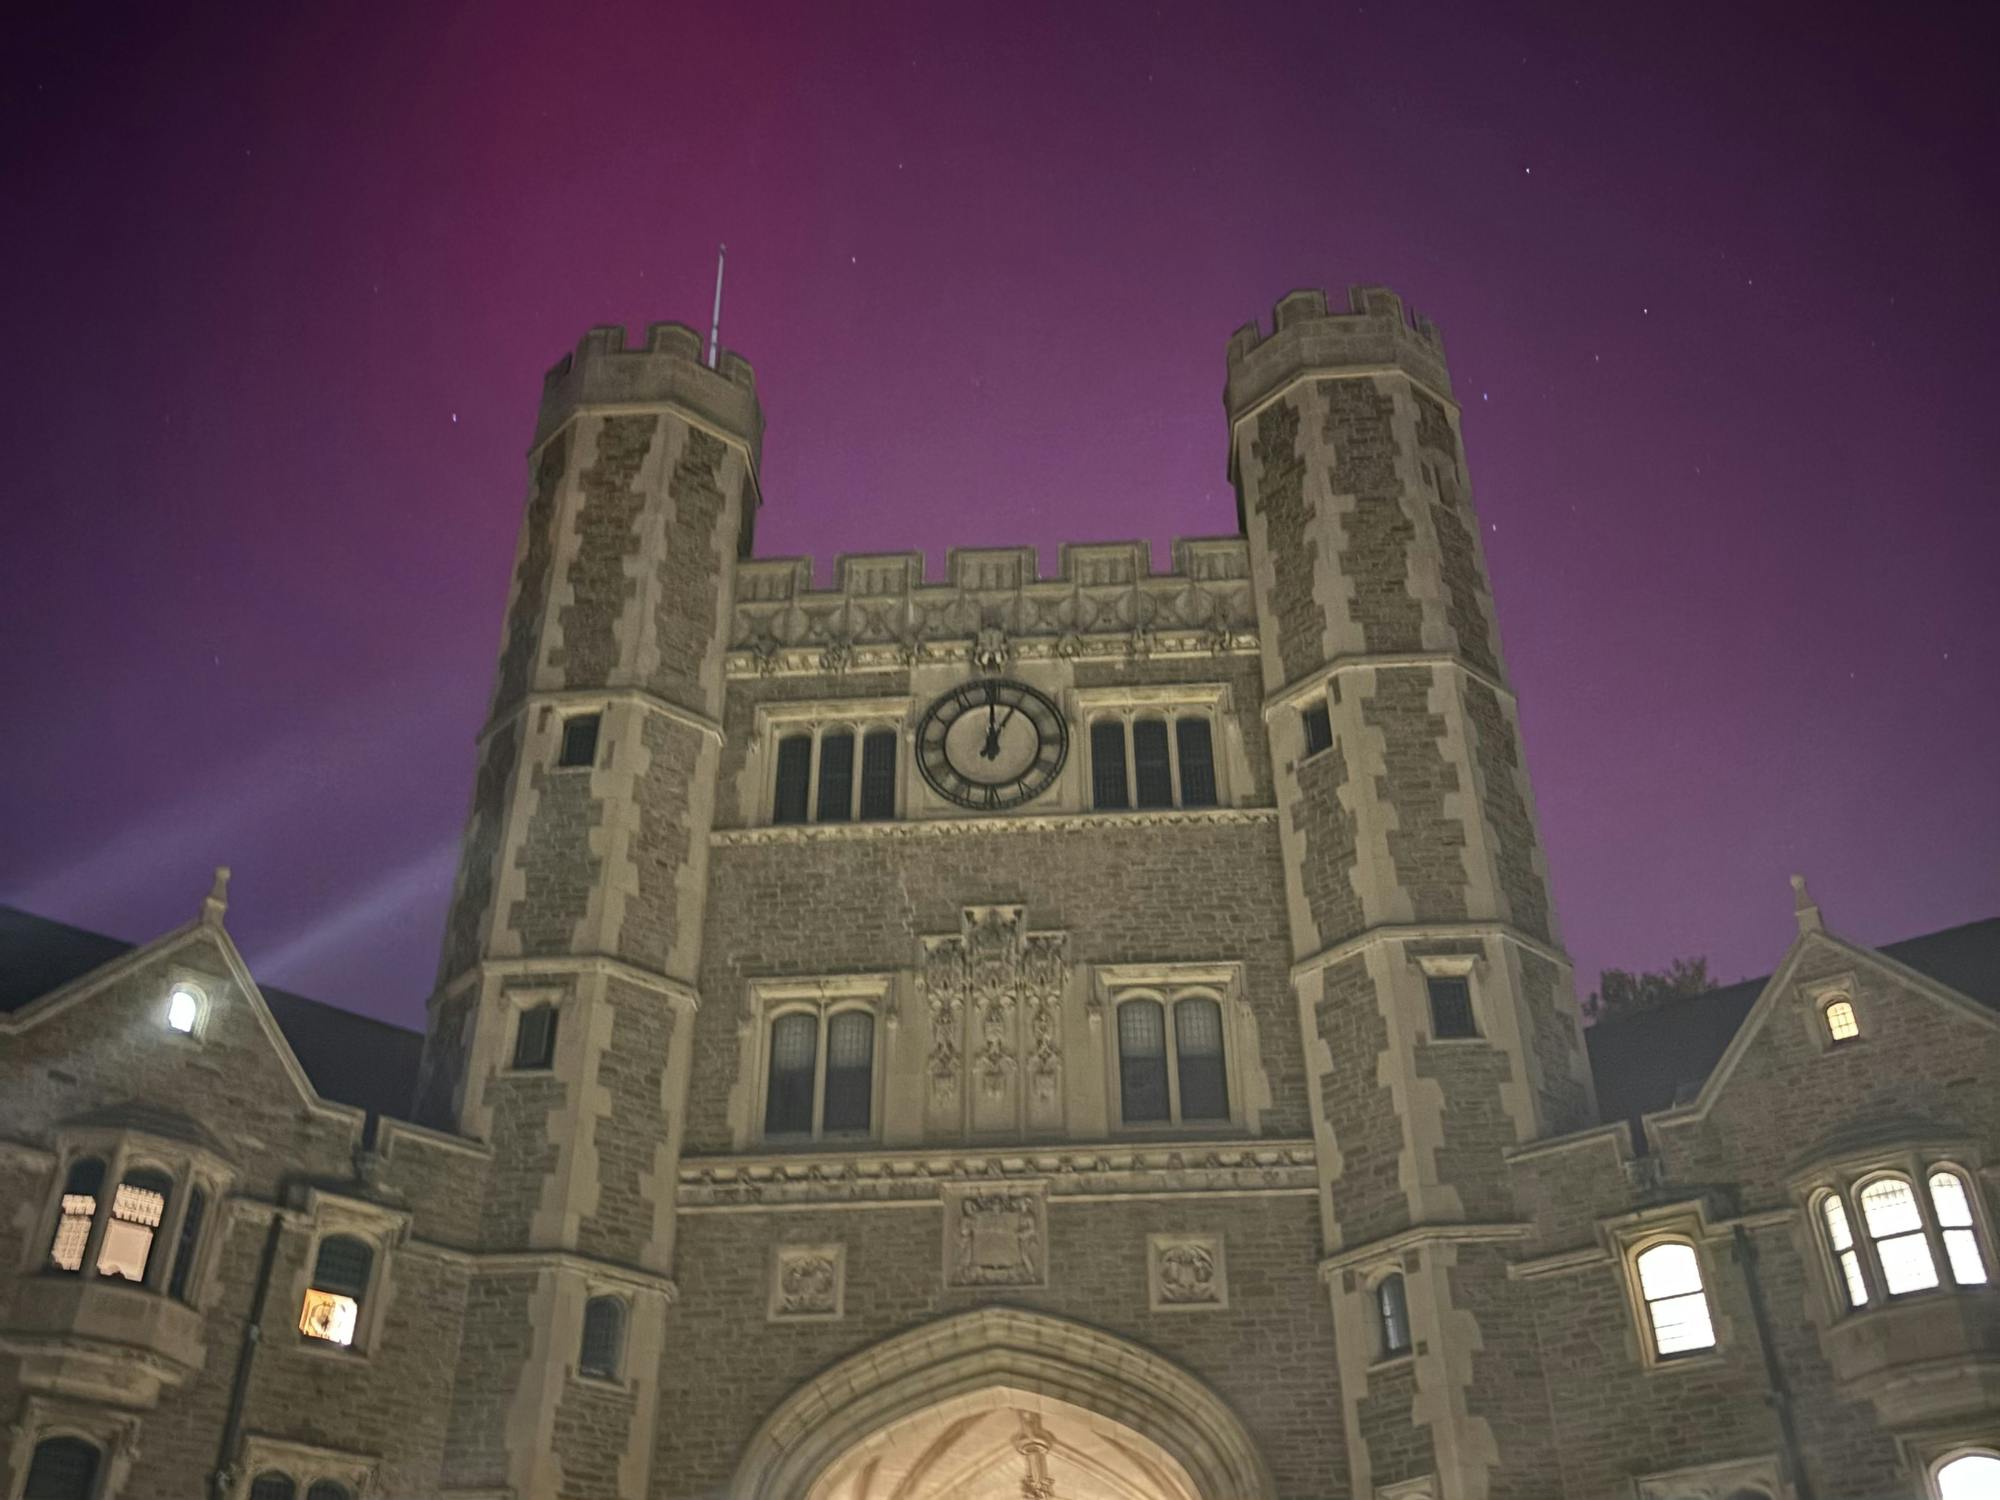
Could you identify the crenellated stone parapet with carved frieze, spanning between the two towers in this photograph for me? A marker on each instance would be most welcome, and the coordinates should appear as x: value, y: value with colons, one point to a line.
x: 1105, y: 601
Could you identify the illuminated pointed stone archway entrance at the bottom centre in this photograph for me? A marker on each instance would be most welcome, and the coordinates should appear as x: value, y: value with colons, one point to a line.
x: 985, y: 1397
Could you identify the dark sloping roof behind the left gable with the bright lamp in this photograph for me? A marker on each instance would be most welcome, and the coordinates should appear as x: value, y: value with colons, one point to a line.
x: 349, y: 1059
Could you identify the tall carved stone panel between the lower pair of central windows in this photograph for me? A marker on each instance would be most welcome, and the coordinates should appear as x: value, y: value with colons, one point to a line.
x: 995, y: 995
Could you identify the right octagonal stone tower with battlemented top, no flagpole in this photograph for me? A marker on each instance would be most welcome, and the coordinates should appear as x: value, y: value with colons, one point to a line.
x: 1431, y: 983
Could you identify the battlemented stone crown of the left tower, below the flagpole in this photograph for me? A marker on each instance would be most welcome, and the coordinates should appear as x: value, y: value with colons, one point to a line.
x: 667, y: 369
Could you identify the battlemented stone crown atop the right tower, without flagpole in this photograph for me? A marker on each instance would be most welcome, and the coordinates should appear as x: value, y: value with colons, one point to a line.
x: 1307, y: 335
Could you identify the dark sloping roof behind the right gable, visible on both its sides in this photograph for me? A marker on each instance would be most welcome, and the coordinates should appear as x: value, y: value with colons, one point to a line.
x: 1663, y: 1057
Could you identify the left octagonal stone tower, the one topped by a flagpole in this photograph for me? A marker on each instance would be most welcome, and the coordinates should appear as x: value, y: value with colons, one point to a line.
x: 581, y: 889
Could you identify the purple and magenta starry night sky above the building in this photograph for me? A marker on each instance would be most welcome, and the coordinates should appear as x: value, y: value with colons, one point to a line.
x: 281, y: 287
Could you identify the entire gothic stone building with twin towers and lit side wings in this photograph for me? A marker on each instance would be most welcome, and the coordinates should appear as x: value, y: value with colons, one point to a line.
x: 1097, y: 1037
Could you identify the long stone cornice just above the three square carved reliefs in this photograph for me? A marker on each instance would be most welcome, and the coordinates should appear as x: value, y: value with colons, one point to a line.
x: 1075, y: 1173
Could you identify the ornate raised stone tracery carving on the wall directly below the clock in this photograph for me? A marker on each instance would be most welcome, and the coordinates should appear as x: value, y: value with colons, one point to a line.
x: 993, y: 971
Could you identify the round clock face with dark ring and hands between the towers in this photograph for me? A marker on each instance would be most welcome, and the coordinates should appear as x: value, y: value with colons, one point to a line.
x: 991, y: 745
